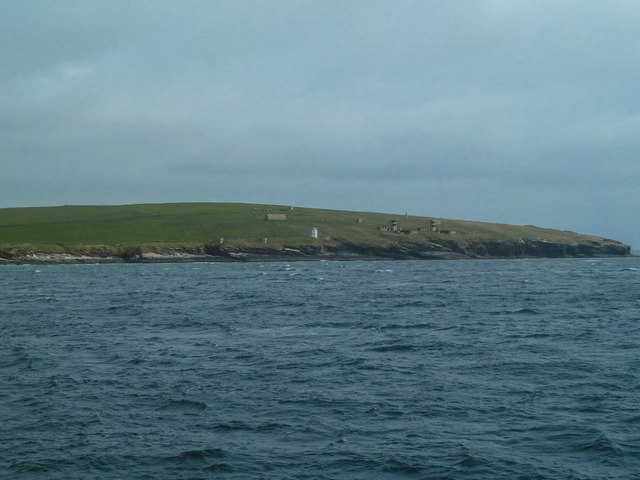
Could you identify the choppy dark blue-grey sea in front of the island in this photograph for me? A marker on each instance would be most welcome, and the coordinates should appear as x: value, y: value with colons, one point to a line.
x: 470, y: 369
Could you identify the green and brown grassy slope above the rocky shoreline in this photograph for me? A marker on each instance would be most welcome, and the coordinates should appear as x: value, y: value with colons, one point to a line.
x: 189, y: 227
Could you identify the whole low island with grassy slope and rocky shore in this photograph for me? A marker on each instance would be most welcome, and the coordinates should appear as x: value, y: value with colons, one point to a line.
x: 239, y: 232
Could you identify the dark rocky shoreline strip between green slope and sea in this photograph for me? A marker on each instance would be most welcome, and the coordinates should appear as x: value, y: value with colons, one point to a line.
x: 448, y: 250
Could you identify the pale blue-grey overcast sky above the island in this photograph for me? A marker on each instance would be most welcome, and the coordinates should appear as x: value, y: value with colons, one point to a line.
x: 523, y: 112
